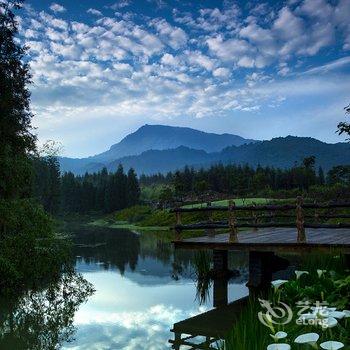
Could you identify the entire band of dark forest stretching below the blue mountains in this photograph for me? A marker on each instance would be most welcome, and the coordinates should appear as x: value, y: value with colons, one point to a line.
x: 106, y: 192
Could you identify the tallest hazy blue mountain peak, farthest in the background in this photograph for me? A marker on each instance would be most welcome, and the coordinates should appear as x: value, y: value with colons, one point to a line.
x: 154, y: 137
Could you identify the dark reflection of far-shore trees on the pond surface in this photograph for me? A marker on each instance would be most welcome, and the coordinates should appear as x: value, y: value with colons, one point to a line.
x: 117, y: 248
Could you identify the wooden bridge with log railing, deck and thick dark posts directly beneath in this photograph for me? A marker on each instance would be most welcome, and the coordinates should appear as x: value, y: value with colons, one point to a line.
x: 267, y: 230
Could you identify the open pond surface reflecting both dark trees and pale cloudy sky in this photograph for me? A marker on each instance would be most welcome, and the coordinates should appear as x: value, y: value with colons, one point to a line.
x: 143, y: 288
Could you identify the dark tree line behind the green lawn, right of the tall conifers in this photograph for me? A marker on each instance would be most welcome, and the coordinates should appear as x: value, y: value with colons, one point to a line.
x: 246, y: 180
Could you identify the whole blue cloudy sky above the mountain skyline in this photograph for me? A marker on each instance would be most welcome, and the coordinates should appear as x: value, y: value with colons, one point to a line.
x: 258, y: 69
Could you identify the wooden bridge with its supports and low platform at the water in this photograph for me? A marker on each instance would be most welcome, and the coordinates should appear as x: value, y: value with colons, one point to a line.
x: 263, y: 231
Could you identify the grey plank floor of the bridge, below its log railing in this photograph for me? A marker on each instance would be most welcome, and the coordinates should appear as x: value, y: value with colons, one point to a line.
x: 272, y: 239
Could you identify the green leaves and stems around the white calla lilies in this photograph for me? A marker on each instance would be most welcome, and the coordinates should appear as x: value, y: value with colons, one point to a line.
x: 327, y: 287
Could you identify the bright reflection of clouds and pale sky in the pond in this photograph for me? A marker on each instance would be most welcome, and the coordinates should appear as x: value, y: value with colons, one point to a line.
x: 136, y: 311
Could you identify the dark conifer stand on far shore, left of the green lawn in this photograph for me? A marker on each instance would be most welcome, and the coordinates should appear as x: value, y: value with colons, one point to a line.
x: 100, y: 192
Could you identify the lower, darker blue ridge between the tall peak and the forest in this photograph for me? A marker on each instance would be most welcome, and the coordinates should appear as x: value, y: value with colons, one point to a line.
x: 281, y: 152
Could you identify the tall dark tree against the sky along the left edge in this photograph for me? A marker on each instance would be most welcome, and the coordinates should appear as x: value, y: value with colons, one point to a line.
x: 16, y: 139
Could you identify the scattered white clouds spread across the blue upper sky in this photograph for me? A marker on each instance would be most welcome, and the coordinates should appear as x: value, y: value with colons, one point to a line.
x: 204, y: 62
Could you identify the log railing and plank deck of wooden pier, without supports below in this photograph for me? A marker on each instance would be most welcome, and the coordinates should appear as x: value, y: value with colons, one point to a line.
x: 308, y: 231
